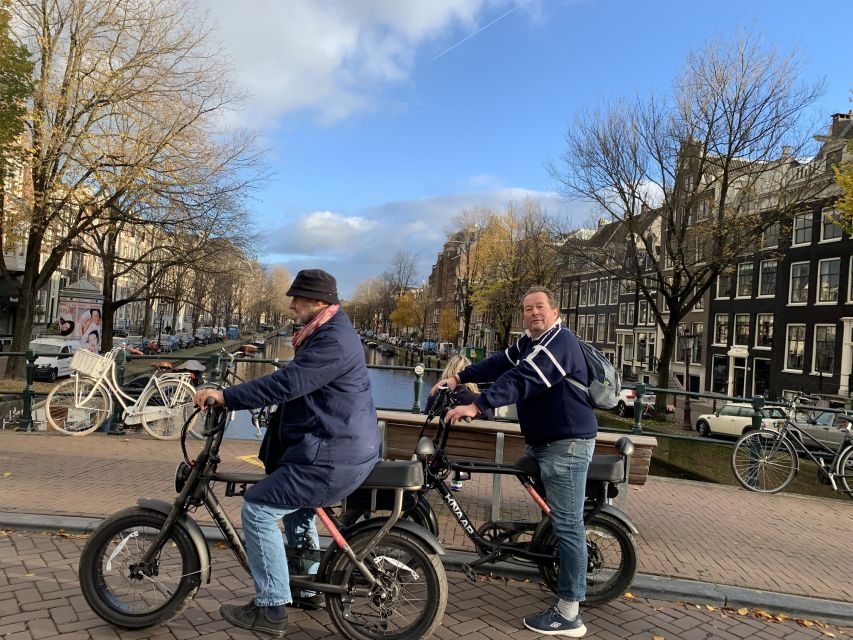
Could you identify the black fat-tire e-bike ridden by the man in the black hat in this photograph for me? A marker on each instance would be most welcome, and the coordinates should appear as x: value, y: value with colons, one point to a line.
x: 382, y: 578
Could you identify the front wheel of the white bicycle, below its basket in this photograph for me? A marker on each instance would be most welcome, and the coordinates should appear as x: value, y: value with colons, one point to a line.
x: 77, y: 406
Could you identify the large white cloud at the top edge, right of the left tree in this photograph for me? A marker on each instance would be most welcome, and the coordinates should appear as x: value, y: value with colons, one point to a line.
x: 333, y: 58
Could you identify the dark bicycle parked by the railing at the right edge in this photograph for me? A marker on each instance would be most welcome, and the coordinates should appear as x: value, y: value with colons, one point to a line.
x: 768, y: 460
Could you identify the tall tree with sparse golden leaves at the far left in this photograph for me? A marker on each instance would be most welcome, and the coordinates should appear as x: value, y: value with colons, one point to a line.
x: 124, y: 121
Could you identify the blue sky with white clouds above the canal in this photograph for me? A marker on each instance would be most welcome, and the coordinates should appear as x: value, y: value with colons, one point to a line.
x: 386, y: 118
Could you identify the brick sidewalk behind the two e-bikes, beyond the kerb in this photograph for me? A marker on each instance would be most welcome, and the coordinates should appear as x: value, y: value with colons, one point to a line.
x: 714, y: 533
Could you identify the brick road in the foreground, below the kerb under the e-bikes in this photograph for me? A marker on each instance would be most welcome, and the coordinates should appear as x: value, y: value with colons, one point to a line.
x: 40, y: 598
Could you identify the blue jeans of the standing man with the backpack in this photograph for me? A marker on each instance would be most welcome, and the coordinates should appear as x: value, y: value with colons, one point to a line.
x: 562, y: 466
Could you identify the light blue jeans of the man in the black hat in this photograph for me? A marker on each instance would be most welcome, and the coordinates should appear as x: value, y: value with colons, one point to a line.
x: 267, y: 558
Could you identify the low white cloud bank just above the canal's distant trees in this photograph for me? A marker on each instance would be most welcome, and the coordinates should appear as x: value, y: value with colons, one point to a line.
x: 357, y: 246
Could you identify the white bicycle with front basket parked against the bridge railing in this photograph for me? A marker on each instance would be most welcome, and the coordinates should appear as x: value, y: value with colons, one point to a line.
x: 80, y: 405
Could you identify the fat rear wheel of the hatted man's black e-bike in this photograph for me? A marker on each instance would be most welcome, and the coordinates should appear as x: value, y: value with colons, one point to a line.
x: 408, y: 600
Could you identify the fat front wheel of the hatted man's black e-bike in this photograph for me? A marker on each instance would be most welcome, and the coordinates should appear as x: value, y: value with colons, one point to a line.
x: 125, y: 591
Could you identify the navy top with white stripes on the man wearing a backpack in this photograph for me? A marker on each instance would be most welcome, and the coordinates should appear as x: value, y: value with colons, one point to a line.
x: 531, y: 373
